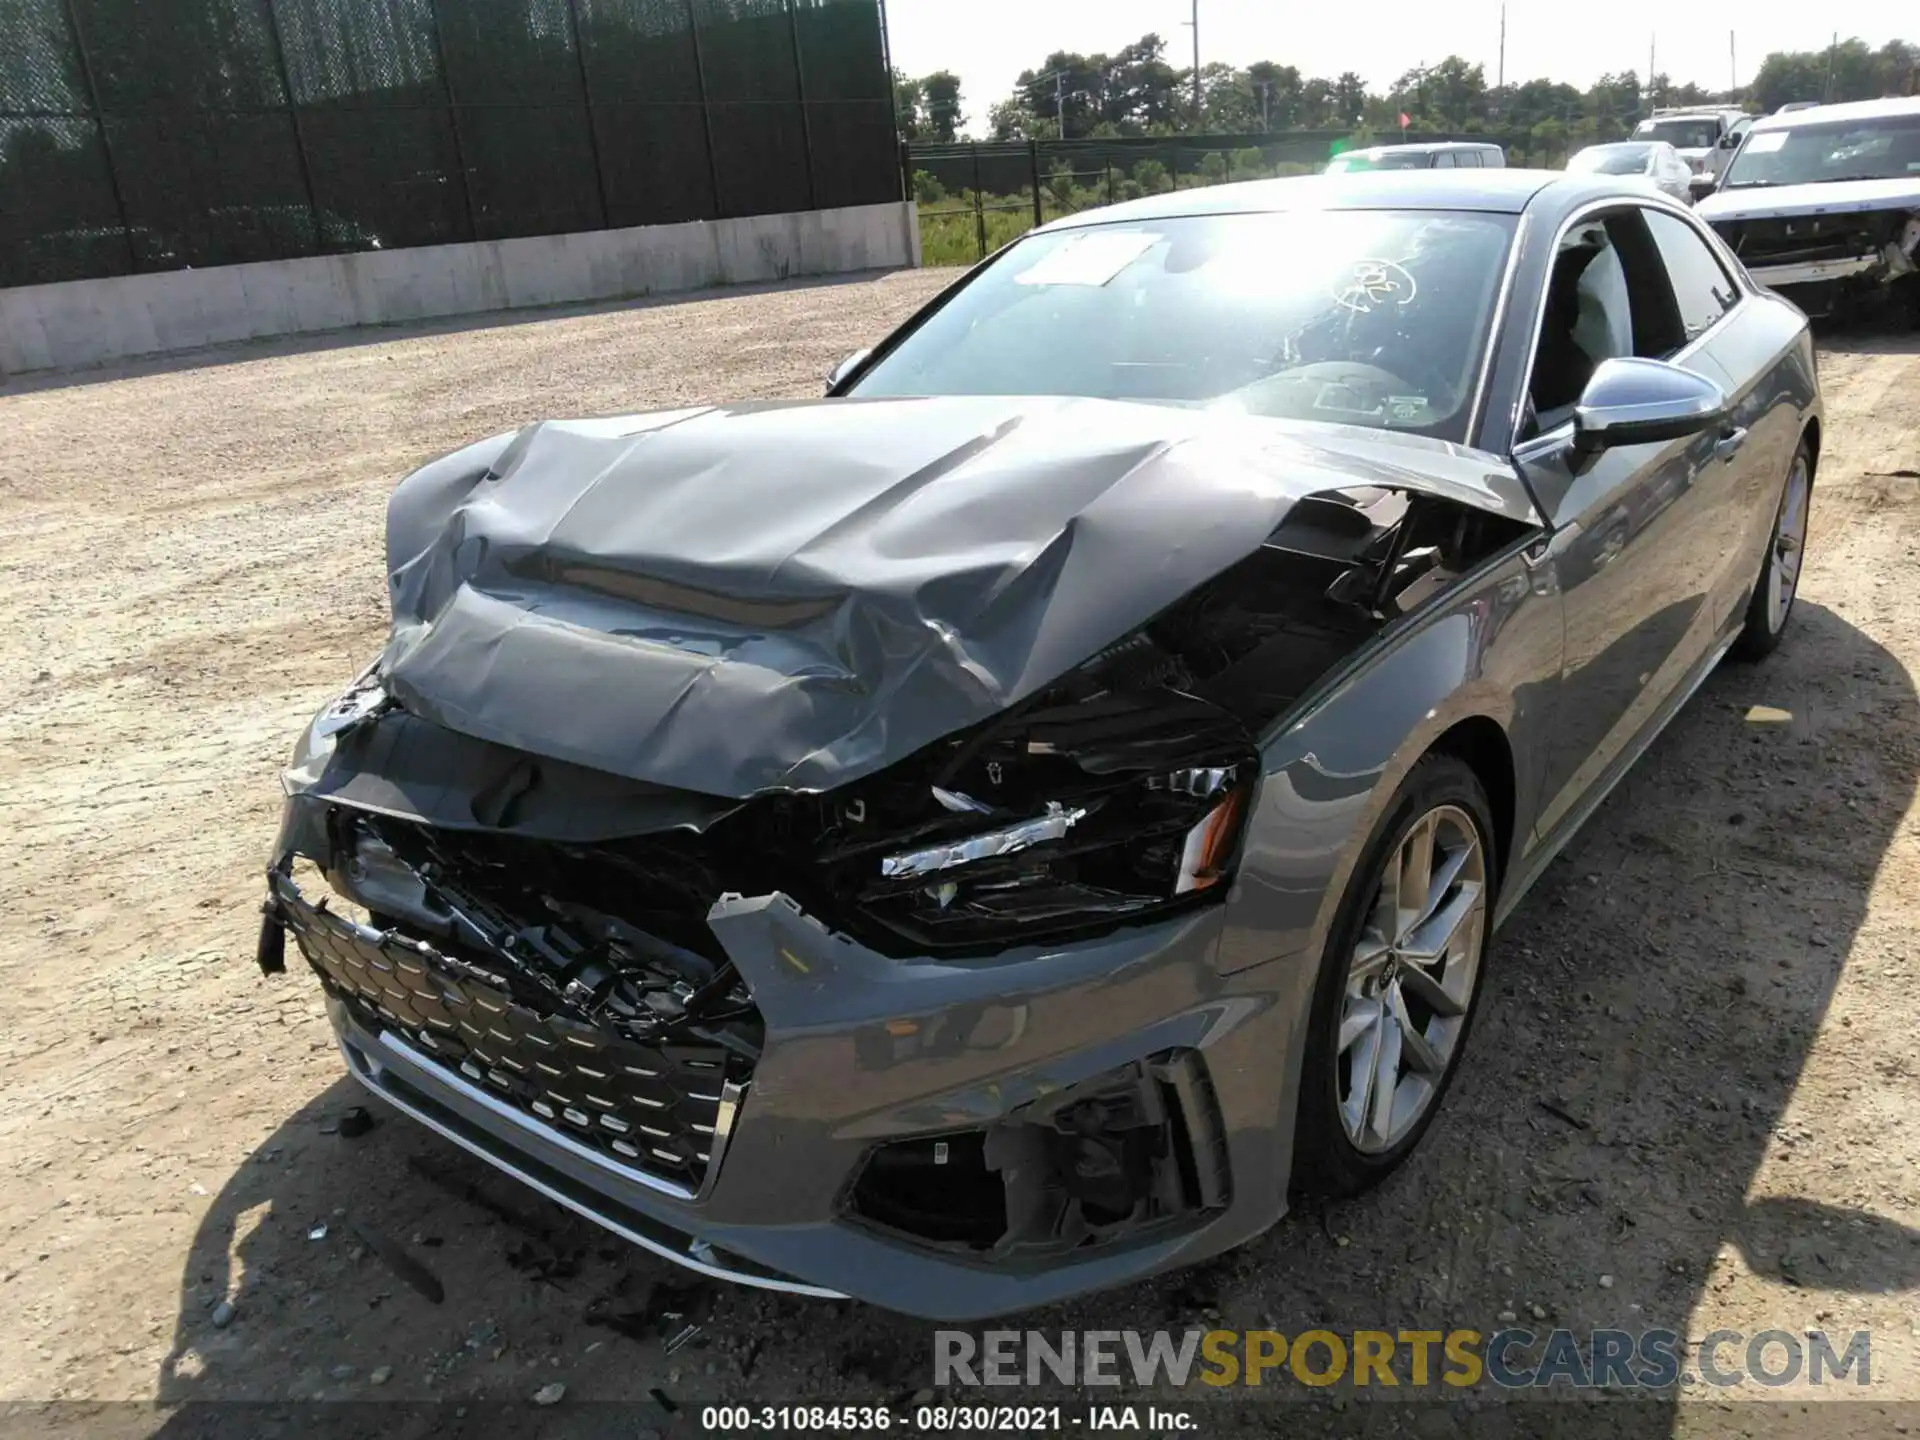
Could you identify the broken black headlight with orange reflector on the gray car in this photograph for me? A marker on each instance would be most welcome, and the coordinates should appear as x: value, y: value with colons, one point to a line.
x: 1055, y: 823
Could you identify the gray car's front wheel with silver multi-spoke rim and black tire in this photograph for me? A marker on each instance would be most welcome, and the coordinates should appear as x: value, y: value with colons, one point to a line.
x: 1401, y: 982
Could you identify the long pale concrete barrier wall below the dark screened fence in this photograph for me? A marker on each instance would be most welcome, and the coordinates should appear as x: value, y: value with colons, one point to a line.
x: 91, y: 322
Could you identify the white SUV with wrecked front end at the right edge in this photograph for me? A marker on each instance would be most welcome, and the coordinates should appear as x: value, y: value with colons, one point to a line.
x: 1825, y: 204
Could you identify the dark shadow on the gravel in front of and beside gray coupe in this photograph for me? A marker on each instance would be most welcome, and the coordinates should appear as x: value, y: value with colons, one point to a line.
x: 1652, y: 1013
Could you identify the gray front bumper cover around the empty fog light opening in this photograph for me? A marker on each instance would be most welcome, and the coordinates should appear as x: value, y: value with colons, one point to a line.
x: 865, y: 1051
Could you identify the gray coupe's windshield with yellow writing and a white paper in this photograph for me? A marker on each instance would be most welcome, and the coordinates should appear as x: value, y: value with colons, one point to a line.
x: 1362, y: 318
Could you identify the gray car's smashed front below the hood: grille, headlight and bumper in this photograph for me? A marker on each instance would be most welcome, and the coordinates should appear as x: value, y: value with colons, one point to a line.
x: 953, y: 1019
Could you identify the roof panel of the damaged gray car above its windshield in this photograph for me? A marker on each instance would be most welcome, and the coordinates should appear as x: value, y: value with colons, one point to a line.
x: 1493, y: 191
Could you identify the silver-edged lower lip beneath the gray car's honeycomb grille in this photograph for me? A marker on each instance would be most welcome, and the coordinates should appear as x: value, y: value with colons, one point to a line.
x: 406, y: 1080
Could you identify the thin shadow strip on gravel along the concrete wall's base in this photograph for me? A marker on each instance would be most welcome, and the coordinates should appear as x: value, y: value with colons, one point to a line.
x: 385, y: 335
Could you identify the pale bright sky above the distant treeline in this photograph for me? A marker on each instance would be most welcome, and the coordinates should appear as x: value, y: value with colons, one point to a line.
x: 992, y: 41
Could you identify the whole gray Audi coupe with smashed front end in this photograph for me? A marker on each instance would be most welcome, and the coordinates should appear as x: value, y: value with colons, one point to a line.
x: 1001, y: 828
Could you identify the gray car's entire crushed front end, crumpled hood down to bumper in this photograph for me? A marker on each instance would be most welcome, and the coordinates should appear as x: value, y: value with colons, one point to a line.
x: 834, y: 900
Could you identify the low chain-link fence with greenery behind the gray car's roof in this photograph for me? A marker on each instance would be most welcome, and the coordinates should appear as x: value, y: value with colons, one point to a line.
x: 976, y: 197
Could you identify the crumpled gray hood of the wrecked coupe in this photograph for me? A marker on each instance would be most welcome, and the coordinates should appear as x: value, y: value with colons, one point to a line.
x: 790, y: 596
